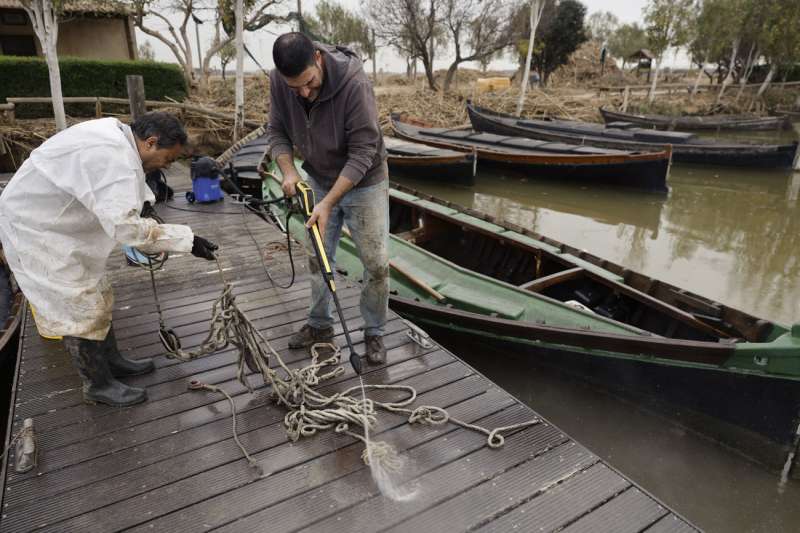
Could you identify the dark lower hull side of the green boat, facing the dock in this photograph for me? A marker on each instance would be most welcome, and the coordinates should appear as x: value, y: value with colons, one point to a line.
x: 753, y: 415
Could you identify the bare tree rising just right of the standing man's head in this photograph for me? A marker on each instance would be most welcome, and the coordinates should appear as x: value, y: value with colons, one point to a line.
x: 412, y: 27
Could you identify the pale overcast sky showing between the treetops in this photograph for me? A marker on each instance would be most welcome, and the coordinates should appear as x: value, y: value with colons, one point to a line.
x: 260, y: 43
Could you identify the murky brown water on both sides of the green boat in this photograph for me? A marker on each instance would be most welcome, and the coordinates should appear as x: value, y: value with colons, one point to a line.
x: 728, y: 234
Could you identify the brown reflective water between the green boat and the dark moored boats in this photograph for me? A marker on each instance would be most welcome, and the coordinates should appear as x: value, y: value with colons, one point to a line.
x: 728, y: 234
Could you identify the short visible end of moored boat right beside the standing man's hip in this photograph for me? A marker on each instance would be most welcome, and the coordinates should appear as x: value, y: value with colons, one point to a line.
x: 421, y: 161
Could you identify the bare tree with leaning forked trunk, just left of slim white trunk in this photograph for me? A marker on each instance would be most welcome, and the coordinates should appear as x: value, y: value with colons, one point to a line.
x: 478, y: 29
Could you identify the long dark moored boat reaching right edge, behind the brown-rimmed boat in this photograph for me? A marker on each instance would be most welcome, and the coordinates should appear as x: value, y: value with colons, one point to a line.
x: 686, y: 147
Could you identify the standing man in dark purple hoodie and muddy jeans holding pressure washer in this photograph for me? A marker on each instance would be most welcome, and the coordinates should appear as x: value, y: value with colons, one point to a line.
x: 322, y: 103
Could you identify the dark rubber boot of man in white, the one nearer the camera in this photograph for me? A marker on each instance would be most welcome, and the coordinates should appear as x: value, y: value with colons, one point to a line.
x: 99, y: 386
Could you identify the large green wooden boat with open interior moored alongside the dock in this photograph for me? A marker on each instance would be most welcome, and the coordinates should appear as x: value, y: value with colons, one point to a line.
x: 458, y: 272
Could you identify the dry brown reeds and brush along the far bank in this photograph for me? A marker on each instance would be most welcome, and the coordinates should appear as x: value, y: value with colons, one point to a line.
x: 575, y: 92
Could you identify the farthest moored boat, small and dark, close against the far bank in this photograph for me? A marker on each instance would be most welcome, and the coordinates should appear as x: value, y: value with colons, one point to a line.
x: 710, y: 122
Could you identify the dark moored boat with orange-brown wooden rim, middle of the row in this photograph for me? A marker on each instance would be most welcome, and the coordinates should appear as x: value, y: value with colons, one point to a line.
x: 583, y: 164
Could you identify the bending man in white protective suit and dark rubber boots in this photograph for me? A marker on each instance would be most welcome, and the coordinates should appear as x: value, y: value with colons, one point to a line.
x: 72, y: 202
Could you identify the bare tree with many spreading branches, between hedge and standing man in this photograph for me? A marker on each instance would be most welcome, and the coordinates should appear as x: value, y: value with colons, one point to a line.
x: 257, y: 14
